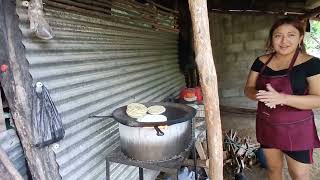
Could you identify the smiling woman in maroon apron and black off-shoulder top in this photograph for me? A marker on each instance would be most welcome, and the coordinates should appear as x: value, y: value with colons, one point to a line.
x: 286, y: 84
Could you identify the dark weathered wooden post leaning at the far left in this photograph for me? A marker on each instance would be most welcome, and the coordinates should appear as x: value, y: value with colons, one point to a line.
x: 17, y: 83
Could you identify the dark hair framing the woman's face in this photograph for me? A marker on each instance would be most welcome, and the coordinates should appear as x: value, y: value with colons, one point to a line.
x: 287, y: 20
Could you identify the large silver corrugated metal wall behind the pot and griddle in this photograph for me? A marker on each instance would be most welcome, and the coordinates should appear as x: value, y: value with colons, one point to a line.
x: 105, y: 54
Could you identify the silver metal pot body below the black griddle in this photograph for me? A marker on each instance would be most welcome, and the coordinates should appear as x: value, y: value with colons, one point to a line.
x: 143, y: 143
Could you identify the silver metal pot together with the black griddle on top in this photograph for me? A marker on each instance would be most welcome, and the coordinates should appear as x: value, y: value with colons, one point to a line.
x: 157, y: 141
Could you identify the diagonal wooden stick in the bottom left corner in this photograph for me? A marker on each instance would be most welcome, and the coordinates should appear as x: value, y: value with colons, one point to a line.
x: 4, y: 159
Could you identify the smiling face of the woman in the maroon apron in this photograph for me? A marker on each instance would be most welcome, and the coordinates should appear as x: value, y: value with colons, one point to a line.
x: 286, y: 39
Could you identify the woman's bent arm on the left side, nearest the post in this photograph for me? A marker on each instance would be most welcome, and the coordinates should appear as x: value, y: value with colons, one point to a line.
x: 250, y: 88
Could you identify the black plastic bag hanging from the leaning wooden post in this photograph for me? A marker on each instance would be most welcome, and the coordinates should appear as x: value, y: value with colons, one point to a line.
x: 46, y: 123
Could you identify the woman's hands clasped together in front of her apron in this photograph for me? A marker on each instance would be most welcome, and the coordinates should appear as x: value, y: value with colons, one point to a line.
x: 271, y: 98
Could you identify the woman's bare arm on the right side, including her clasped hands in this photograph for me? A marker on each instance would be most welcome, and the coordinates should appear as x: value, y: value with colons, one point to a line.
x: 311, y: 101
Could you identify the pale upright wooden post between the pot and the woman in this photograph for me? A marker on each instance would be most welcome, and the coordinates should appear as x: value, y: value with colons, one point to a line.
x: 208, y: 81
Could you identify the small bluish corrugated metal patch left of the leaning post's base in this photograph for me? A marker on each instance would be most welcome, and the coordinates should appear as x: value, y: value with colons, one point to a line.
x: 10, y: 143
